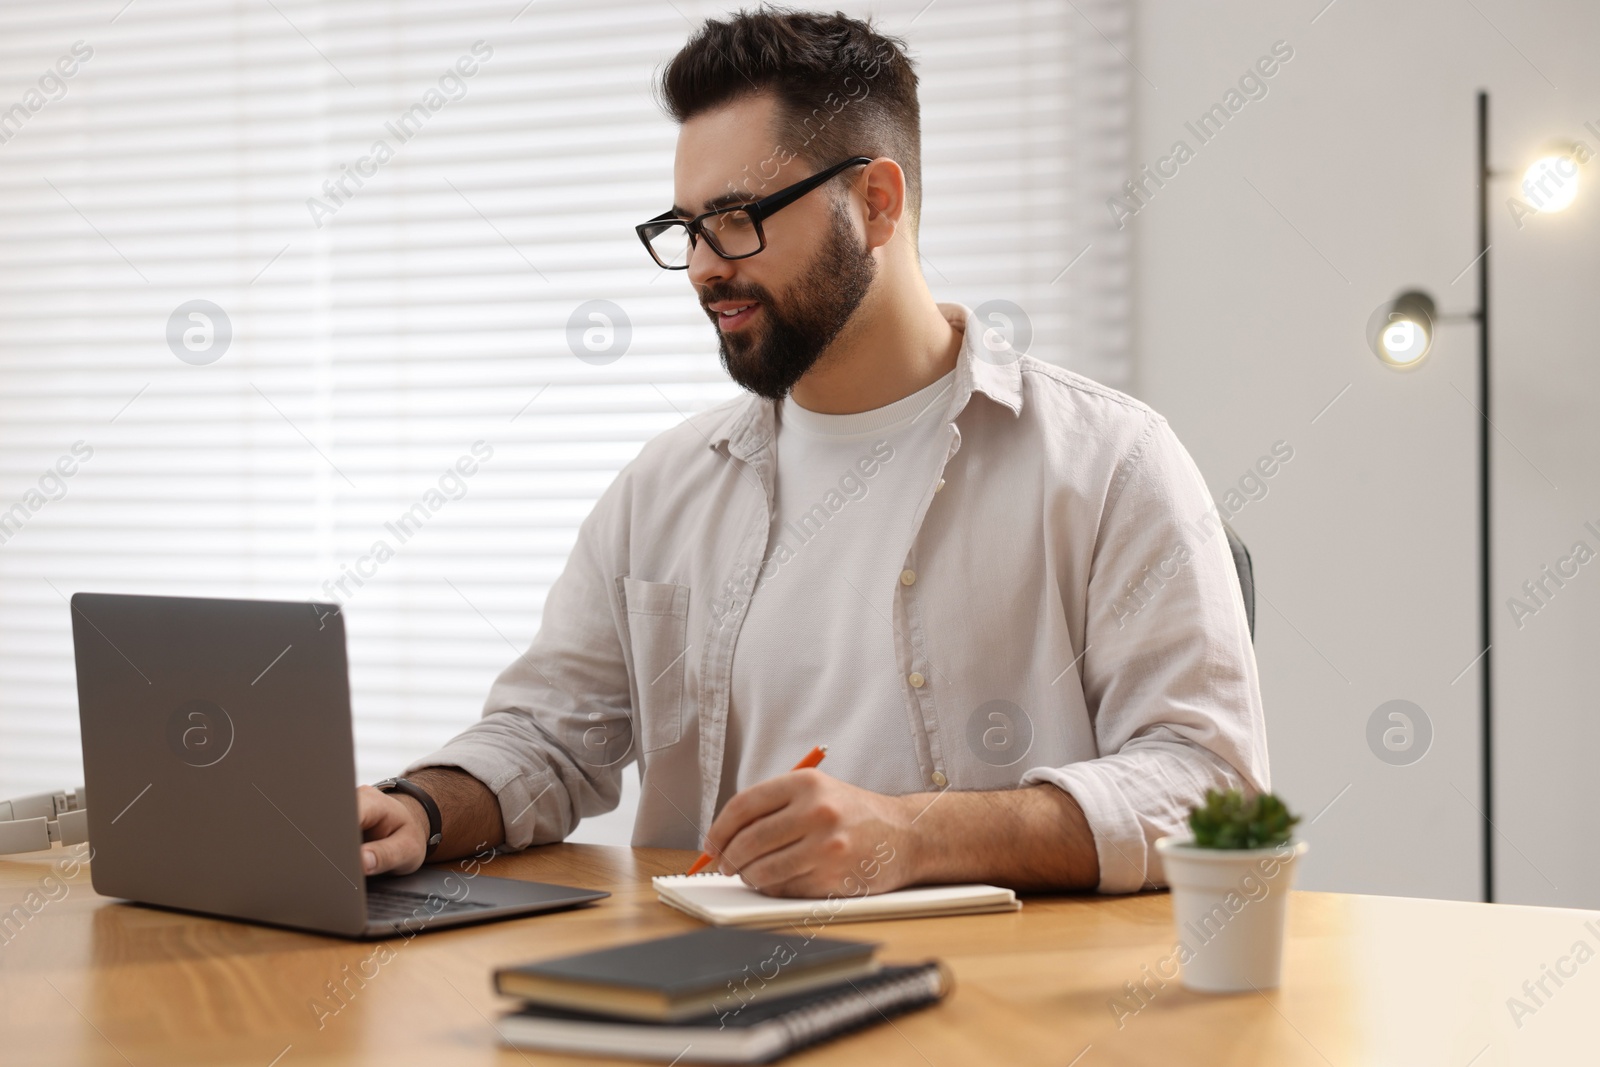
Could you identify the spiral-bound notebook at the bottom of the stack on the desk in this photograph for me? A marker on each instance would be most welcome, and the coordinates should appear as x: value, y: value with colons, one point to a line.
x: 758, y: 1033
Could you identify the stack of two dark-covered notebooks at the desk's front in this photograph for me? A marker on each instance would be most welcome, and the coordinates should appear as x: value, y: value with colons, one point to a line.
x: 718, y: 996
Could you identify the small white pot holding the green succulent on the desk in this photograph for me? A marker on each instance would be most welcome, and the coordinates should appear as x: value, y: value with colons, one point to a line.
x: 1230, y: 906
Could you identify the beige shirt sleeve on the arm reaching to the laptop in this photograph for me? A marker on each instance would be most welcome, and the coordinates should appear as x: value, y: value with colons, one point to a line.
x: 556, y: 730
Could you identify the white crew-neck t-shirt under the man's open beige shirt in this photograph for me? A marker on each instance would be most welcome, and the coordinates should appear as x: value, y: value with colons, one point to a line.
x: 817, y: 649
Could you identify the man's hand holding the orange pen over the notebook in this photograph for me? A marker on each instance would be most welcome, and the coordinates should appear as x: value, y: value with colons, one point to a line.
x: 807, y: 834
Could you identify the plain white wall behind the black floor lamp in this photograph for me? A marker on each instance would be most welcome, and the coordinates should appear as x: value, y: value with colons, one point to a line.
x: 1257, y: 270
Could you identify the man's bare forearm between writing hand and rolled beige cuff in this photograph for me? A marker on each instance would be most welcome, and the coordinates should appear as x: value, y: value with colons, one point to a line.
x: 1023, y: 839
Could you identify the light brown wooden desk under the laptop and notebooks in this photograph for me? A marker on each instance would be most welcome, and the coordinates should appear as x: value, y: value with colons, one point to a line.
x: 1367, y: 981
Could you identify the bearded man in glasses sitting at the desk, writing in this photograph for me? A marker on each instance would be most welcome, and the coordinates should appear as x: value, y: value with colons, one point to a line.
x: 994, y: 589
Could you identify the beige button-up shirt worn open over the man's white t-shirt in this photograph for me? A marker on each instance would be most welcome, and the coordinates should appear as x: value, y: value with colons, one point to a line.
x: 1074, y: 620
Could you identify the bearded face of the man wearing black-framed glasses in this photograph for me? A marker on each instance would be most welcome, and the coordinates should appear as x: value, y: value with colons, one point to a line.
x: 801, y: 290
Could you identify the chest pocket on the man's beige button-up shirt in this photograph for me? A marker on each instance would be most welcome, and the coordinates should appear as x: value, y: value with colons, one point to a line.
x: 658, y: 621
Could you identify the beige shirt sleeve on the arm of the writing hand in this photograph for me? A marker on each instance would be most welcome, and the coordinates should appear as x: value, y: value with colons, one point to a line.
x: 1169, y: 669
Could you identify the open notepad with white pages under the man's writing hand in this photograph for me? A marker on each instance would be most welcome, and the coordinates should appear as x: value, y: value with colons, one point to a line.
x: 727, y: 901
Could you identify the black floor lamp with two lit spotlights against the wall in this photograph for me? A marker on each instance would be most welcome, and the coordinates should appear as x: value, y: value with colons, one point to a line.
x: 1402, y: 335
